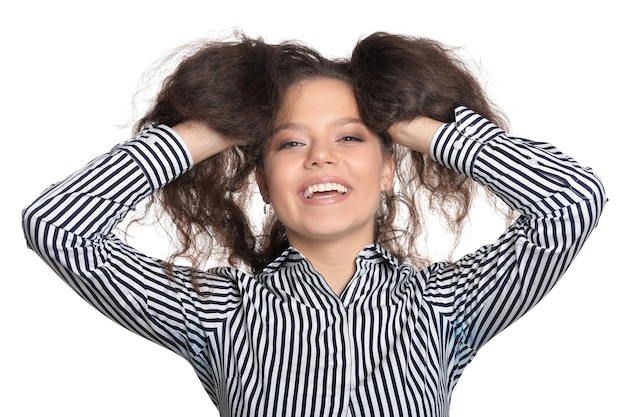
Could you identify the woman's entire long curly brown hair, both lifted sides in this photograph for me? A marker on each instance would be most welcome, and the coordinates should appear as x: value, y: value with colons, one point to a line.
x: 237, y: 88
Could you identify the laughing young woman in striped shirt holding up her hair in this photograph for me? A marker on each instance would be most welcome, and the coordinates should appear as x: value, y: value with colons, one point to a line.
x: 330, y: 310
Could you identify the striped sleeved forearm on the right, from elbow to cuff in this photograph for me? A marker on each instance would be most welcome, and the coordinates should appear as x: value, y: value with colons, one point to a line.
x: 533, y: 178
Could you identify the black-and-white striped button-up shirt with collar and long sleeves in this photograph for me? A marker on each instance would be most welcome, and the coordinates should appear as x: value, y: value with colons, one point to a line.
x: 281, y: 343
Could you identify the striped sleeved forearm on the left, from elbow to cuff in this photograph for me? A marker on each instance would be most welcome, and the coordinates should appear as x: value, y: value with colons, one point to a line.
x: 91, y: 201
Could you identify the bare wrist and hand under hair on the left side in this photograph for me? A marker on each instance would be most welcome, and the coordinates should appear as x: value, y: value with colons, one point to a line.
x: 202, y: 140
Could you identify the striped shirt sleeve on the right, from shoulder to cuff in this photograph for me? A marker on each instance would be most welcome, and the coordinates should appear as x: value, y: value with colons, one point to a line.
x: 559, y: 204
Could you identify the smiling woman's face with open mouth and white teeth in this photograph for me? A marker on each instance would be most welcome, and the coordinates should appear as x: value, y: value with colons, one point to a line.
x: 324, y: 170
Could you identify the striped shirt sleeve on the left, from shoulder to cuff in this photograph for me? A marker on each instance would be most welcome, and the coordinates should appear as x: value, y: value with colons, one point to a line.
x: 70, y: 226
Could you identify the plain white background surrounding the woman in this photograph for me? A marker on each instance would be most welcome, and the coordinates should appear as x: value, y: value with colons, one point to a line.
x: 67, y: 75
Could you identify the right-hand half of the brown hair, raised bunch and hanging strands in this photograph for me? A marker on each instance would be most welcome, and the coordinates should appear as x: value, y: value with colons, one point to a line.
x: 397, y: 78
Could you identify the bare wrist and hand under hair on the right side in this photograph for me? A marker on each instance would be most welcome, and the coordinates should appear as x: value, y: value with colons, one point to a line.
x: 415, y: 134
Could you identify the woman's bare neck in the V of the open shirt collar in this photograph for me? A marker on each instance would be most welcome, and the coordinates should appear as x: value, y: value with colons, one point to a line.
x: 334, y: 260
